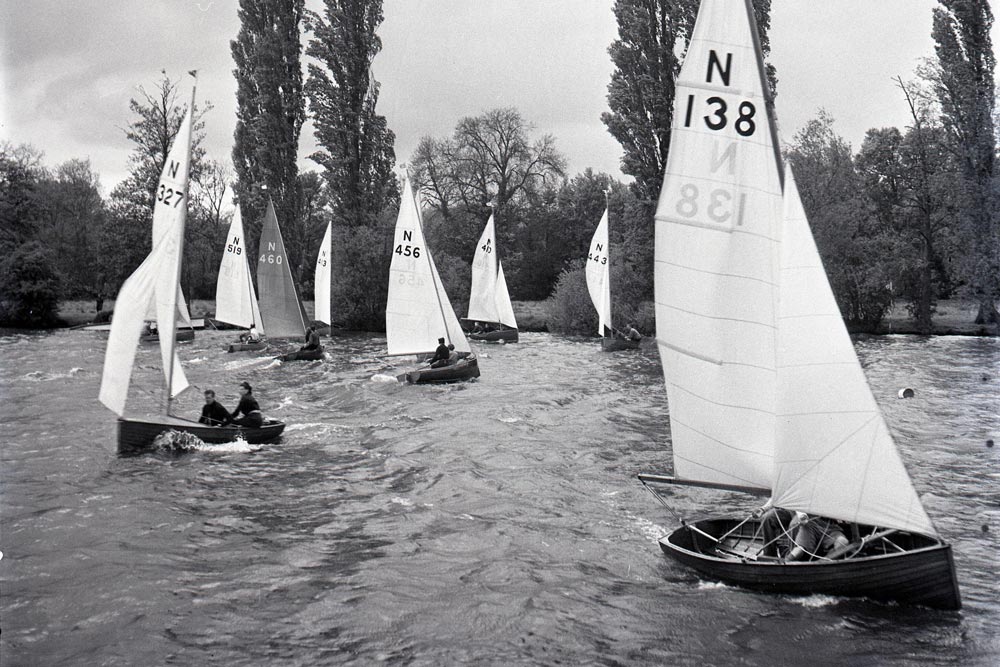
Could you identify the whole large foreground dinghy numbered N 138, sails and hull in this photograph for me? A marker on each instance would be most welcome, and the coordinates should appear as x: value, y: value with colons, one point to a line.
x: 766, y: 393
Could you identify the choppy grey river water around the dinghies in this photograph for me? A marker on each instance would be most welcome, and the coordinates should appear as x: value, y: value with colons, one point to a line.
x: 492, y: 522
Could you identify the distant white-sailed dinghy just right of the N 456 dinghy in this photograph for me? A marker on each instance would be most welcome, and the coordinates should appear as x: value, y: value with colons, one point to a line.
x: 491, y: 314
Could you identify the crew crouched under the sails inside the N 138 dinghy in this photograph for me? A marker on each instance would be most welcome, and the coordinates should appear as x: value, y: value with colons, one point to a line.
x: 805, y: 537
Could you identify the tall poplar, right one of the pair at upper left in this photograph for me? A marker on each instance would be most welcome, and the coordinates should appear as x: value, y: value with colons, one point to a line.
x: 356, y: 145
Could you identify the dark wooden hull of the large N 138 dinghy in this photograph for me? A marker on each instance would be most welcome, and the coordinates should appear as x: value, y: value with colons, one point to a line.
x: 923, y: 574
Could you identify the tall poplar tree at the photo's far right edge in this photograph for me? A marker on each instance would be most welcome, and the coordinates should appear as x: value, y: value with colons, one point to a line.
x: 965, y: 89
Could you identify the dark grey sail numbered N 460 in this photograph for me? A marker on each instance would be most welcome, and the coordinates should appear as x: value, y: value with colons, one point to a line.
x: 279, y: 302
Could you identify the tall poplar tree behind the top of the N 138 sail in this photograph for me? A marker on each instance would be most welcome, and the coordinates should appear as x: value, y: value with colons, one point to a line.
x: 643, y: 85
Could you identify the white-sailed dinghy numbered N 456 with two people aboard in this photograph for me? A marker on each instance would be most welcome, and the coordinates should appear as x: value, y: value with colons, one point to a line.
x: 418, y: 311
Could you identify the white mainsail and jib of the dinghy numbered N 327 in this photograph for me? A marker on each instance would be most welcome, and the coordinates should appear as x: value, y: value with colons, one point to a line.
x: 155, y: 285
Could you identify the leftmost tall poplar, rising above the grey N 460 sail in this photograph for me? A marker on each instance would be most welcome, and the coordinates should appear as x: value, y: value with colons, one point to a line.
x: 270, y: 111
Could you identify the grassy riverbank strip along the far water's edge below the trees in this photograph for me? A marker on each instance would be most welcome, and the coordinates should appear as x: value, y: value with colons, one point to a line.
x: 952, y: 317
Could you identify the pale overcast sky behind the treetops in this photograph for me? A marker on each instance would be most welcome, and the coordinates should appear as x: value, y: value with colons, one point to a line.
x: 70, y: 66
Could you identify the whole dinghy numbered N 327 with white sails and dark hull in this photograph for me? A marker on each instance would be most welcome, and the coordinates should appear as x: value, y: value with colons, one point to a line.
x: 156, y: 284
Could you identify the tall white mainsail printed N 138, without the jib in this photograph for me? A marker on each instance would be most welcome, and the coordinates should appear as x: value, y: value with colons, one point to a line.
x: 717, y: 229
